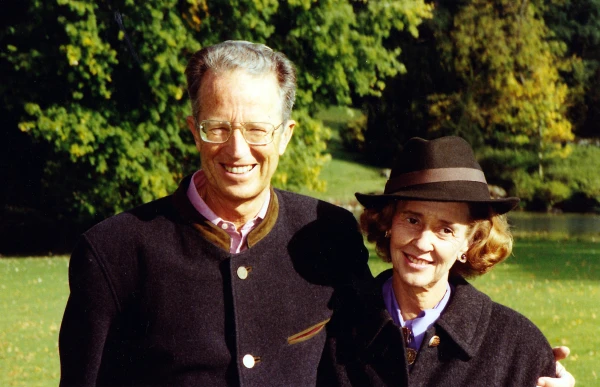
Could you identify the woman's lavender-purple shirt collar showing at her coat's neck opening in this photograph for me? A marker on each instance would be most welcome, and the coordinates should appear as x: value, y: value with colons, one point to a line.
x: 419, y: 324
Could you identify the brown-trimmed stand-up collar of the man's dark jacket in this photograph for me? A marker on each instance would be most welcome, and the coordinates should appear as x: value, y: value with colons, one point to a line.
x: 211, y: 232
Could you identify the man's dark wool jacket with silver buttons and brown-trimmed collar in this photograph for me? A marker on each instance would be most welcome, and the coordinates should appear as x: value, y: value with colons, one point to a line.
x: 157, y: 299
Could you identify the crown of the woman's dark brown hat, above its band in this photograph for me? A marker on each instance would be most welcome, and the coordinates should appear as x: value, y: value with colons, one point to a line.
x: 446, y: 152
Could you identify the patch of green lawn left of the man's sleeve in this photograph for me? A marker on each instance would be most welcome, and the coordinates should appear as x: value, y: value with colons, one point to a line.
x: 33, y: 294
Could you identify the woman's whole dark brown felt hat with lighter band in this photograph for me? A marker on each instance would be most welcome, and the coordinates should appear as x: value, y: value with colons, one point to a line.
x: 443, y: 170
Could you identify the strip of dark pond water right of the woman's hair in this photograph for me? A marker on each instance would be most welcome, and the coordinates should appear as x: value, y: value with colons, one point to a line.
x: 569, y: 224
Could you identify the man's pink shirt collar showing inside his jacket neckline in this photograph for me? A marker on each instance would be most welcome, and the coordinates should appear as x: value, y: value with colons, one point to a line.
x: 238, y: 238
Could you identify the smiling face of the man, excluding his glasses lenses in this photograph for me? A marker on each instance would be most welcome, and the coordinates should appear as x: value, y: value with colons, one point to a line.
x: 236, y: 171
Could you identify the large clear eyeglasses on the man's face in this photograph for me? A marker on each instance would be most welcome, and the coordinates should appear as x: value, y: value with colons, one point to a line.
x: 255, y: 133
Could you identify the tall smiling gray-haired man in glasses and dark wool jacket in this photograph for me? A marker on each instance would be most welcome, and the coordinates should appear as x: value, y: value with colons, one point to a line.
x: 228, y: 281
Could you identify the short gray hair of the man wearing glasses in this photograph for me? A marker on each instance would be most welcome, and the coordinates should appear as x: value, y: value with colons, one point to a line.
x: 254, y: 58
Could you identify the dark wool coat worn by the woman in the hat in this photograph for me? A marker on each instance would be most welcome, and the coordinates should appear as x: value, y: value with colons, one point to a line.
x: 477, y: 343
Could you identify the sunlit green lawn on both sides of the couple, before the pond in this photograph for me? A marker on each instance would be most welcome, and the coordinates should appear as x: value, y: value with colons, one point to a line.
x: 554, y: 283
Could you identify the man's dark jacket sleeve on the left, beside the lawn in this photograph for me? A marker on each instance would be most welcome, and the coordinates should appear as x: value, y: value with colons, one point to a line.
x: 86, y: 322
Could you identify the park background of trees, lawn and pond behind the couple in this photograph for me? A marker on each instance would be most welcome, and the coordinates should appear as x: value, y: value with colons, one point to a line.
x: 93, y: 123
